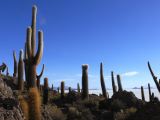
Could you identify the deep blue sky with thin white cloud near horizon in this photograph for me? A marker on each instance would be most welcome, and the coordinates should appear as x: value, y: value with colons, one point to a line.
x: 123, y: 34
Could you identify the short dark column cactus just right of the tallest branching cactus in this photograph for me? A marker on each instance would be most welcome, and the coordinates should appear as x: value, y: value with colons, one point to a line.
x: 45, y: 91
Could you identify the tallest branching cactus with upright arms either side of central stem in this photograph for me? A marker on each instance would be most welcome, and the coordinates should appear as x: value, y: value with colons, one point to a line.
x: 33, y: 59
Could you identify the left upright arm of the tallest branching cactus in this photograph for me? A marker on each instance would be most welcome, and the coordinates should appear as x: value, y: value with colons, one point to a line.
x: 29, y: 50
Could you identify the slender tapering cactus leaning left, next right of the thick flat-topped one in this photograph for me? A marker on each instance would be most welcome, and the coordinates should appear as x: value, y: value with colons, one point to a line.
x: 102, y: 82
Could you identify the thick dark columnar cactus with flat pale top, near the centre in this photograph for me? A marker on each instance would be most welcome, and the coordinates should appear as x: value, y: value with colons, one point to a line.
x: 85, y: 82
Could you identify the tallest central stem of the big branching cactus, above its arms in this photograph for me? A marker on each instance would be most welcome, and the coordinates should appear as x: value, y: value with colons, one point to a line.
x: 33, y: 43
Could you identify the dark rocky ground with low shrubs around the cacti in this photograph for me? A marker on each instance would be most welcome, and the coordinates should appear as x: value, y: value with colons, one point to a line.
x: 121, y: 106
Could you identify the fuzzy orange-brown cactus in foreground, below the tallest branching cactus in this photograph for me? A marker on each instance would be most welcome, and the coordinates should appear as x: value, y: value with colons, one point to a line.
x: 34, y: 104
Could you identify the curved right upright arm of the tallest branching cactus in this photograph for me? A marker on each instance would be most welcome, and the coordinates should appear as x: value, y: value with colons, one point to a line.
x: 40, y: 48
